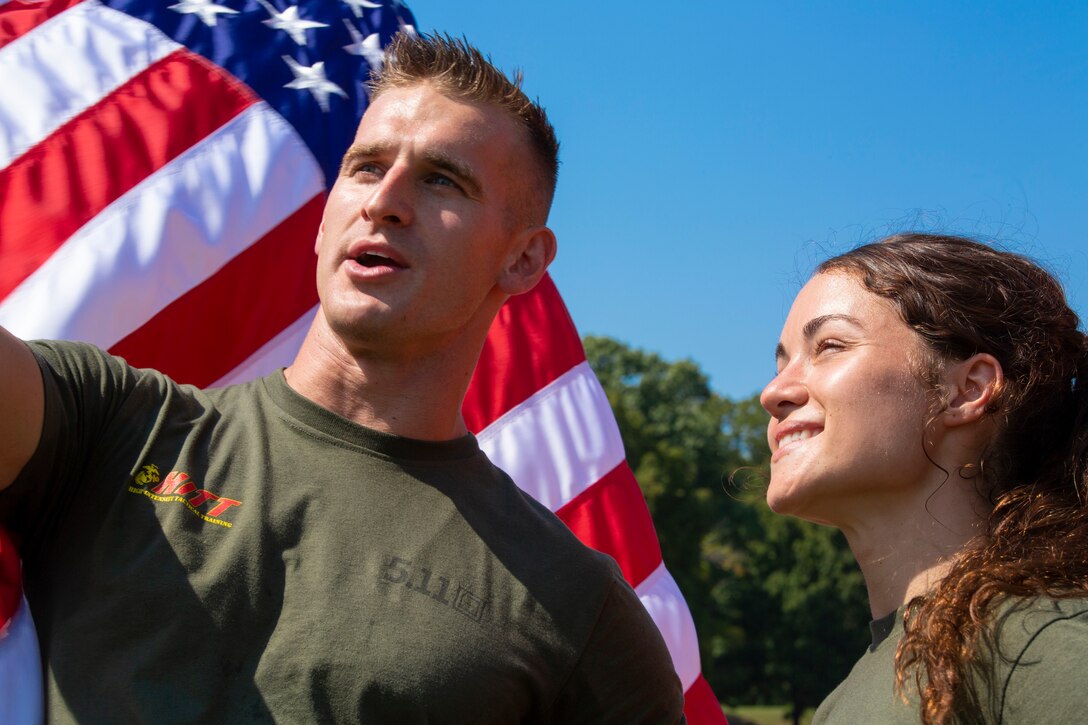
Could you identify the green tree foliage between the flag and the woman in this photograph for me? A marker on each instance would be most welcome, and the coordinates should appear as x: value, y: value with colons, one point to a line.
x: 778, y: 604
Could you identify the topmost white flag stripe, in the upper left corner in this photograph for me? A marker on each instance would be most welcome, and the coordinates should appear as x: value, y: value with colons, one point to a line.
x: 46, y: 84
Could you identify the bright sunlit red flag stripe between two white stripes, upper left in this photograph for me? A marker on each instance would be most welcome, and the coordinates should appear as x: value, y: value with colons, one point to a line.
x: 61, y: 183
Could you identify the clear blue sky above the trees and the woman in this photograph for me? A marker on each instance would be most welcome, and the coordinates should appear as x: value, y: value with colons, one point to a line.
x: 713, y: 153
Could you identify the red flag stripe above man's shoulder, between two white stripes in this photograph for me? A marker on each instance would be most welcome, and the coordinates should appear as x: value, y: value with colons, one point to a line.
x: 612, y: 518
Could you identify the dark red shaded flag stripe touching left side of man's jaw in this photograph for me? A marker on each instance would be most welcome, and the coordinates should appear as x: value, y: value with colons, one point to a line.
x: 216, y: 326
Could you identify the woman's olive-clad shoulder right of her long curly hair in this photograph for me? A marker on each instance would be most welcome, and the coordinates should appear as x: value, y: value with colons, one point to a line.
x: 1038, y: 654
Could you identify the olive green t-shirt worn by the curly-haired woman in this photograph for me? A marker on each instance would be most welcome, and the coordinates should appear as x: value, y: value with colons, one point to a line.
x: 1036, y: 666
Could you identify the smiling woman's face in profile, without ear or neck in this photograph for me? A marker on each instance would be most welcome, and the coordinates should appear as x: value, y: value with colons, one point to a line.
x: 848, y: 411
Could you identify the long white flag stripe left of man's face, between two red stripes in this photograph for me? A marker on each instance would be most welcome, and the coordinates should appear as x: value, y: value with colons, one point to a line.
x: 169, y: 234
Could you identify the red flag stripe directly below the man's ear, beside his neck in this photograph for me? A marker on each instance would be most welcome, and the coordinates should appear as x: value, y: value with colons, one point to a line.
x: 533, y: 342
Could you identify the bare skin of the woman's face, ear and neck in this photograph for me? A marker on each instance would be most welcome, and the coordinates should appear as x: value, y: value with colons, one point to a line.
x: 850, y: 419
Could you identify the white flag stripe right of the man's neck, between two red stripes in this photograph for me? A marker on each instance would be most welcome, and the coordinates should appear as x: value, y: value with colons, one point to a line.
x: 560, y: 441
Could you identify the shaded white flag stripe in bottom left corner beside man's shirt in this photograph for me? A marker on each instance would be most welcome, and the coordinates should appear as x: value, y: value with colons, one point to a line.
x: 21, y: 699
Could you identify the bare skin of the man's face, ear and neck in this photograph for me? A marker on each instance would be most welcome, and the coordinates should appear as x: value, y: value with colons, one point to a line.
x: 421, y: 244
